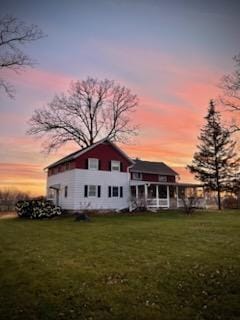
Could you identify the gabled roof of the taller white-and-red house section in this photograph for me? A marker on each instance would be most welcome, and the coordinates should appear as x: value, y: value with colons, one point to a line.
x: 78, y: 153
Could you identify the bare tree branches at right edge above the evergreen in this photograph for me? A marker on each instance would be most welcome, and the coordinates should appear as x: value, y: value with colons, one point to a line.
x: 231, y: 90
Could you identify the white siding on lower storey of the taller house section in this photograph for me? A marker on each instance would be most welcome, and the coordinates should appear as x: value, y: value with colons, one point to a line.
x: 76, y: 179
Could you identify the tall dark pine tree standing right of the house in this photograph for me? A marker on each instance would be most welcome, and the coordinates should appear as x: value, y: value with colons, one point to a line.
x: 215, y: 162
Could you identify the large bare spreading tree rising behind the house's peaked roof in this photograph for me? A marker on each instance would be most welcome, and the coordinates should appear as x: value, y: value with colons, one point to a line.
x: 92, y: 110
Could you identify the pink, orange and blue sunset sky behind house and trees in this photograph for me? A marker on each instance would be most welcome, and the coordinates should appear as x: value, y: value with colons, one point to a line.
x: 172, y: 54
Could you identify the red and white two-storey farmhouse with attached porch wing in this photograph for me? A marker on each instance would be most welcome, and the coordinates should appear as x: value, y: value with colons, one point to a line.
x: 103, y: 177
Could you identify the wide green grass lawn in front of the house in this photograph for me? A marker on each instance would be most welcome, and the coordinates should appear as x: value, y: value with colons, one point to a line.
x: 158, y: 266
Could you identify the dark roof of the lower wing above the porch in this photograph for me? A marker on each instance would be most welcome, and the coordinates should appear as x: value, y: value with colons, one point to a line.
x: 152, y: 167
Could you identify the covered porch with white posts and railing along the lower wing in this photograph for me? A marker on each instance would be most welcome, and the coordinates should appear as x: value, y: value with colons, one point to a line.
x: 165, y: 195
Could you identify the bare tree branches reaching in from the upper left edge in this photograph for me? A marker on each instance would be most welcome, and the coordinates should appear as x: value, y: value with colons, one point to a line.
x: 14, y: 34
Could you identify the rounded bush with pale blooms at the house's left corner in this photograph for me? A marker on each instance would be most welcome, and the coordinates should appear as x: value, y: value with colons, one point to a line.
x: 37, y: 209
